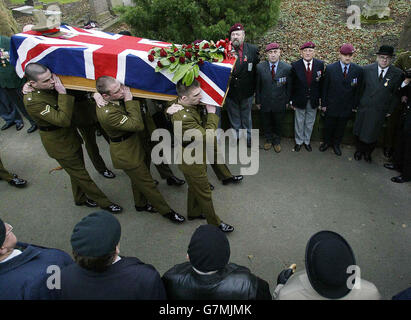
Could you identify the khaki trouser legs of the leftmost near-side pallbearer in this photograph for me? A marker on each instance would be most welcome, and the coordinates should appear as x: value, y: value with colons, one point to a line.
x: 81, y: 183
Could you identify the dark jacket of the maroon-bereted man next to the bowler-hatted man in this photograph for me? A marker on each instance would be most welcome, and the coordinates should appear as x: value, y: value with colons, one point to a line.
x: 341, y: 95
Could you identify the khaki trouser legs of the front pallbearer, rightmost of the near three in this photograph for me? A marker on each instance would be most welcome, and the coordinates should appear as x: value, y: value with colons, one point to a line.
x: 199, y: 199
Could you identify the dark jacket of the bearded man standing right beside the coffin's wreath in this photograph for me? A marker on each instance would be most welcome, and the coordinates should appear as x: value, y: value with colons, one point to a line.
x: 243, y: 77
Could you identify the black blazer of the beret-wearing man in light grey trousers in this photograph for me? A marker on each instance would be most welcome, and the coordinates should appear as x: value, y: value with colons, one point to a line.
x: 300, y: 92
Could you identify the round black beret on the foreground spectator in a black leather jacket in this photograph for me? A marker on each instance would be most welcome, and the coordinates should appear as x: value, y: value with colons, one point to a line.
x: 209, y: 249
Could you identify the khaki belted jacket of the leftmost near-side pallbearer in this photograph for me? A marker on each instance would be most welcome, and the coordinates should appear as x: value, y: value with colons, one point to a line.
x: 48, y: 108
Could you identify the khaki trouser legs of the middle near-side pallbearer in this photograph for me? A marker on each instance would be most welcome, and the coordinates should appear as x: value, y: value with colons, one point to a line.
x: 145, y: 190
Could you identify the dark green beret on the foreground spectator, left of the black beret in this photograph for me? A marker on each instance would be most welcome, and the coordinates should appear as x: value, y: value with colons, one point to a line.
x: 96, y: 235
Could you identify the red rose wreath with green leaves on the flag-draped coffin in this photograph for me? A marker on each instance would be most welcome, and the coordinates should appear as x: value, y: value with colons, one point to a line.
x: 183, y: 60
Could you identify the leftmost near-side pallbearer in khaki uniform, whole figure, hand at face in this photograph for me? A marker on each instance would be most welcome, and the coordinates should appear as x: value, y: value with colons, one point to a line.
x: 52, y: 109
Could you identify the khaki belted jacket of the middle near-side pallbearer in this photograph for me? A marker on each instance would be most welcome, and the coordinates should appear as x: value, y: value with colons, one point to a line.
x: 118, y: 120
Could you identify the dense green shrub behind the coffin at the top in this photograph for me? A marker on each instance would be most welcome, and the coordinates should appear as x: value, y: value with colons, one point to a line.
x: 183, y: 21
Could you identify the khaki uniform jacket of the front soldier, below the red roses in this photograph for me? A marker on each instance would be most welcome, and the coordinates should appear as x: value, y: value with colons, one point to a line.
x: 191, y: 118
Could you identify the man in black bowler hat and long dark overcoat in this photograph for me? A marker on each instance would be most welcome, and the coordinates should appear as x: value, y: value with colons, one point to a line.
x: 379, y: 95
